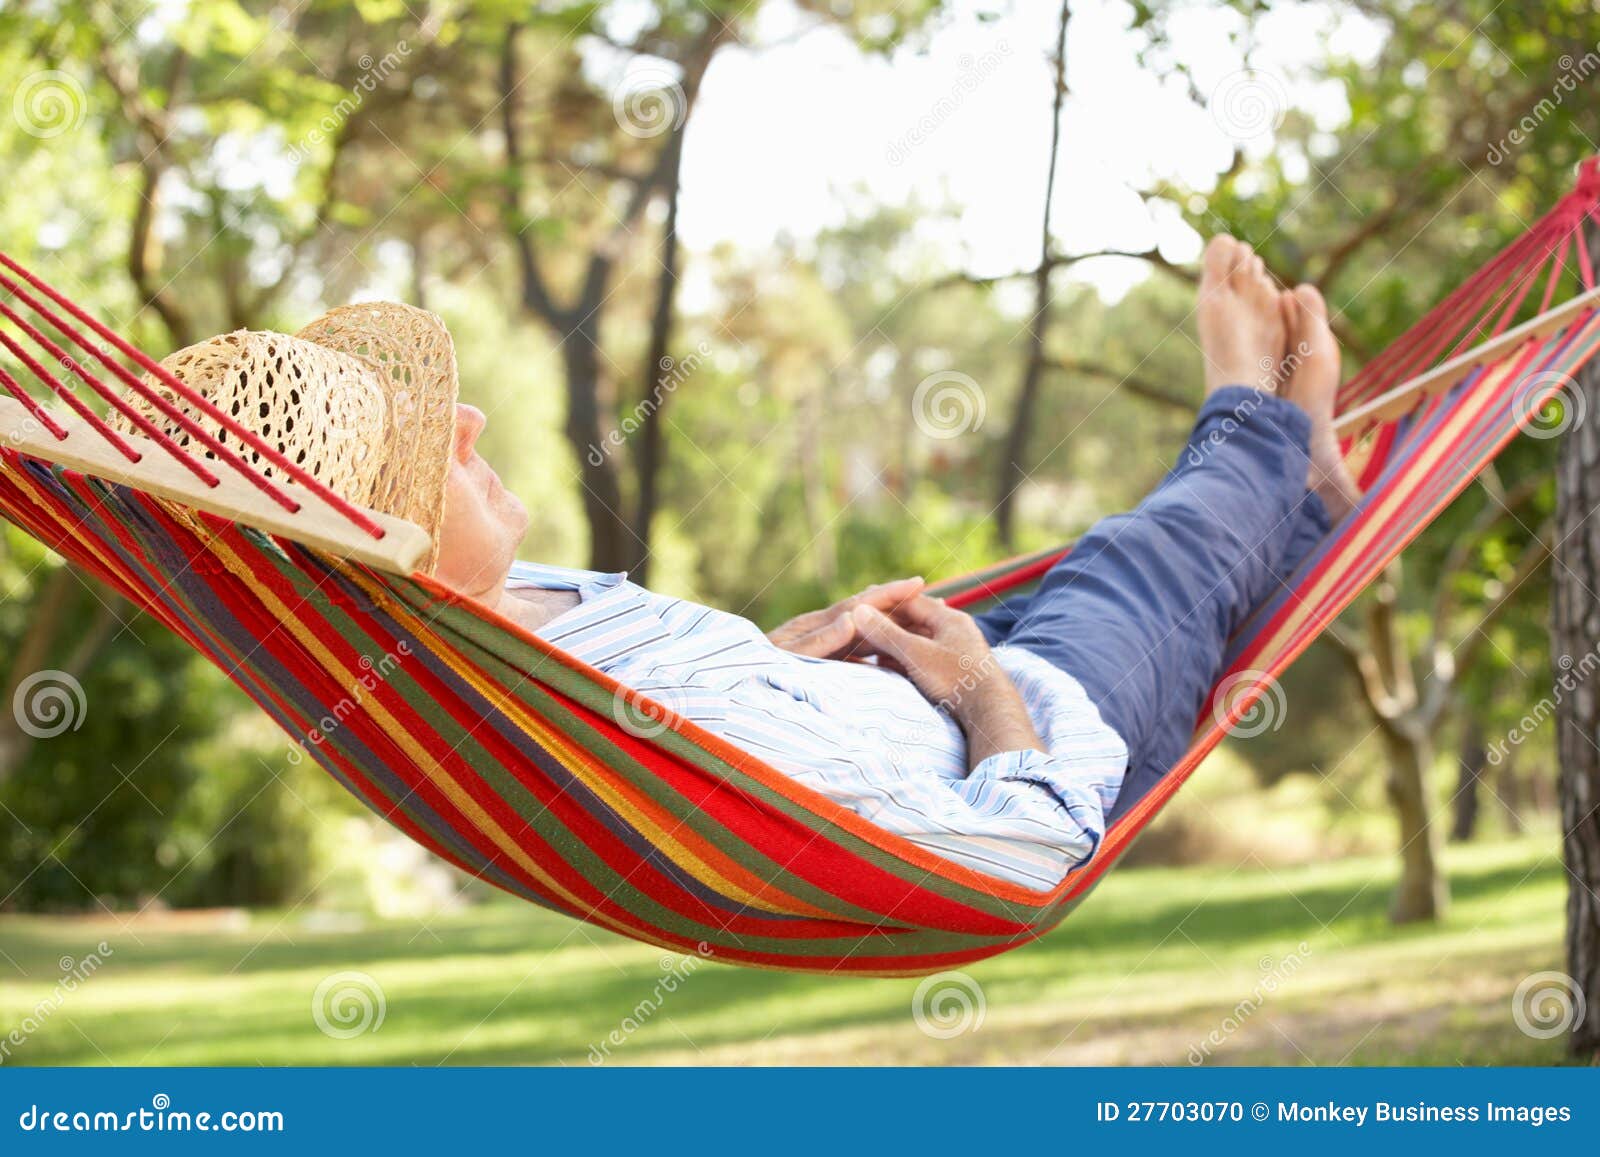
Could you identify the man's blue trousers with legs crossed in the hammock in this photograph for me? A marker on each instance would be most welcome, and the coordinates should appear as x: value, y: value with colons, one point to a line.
x: 1143, y: 609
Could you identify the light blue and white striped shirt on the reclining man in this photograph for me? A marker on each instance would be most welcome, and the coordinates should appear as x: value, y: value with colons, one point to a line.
x: 858, y: 734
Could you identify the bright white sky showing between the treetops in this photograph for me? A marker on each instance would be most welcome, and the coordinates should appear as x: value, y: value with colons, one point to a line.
x: 785, y: 135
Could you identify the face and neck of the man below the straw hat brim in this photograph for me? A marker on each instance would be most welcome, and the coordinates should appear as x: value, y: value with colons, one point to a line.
x: 484, y: 522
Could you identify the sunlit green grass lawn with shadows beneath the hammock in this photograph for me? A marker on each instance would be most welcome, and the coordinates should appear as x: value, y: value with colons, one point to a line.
x: 1161, y: 967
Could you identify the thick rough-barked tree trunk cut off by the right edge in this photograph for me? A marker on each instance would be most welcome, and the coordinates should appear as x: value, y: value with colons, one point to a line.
x: 1575, y: 635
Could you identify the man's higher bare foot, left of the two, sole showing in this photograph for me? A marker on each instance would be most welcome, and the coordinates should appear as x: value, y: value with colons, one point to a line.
x: 1241, y: 321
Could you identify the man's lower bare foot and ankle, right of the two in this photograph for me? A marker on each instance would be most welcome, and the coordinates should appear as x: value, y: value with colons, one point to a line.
x: 1313, y: 372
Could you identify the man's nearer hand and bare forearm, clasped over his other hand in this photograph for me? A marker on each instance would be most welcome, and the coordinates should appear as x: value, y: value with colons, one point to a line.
x: 943, y: 652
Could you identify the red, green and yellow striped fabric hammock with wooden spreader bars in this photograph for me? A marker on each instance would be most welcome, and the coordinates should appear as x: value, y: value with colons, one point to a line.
x: 543, y: 777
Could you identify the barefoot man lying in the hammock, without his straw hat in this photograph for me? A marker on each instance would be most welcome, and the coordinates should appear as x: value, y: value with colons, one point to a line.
x: 1004, y: 742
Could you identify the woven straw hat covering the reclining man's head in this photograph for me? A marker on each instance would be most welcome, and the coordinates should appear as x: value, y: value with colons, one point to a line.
x: 362, y: 399
